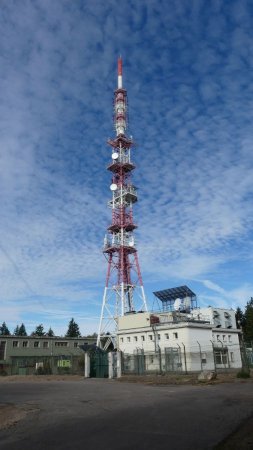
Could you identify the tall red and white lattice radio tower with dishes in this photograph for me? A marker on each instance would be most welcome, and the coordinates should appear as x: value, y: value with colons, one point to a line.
x: 124, y: 292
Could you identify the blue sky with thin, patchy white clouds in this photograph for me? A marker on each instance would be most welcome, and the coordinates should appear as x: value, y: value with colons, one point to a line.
x: 188, y: 68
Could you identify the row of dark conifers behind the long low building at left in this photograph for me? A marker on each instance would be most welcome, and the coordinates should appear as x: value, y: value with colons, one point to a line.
x: 72, y: 331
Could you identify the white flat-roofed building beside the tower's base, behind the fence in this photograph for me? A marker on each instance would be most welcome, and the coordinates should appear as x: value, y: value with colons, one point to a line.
x: 202, y: 339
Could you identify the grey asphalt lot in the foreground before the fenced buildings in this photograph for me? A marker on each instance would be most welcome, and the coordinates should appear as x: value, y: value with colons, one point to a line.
x: 99, y: 414
